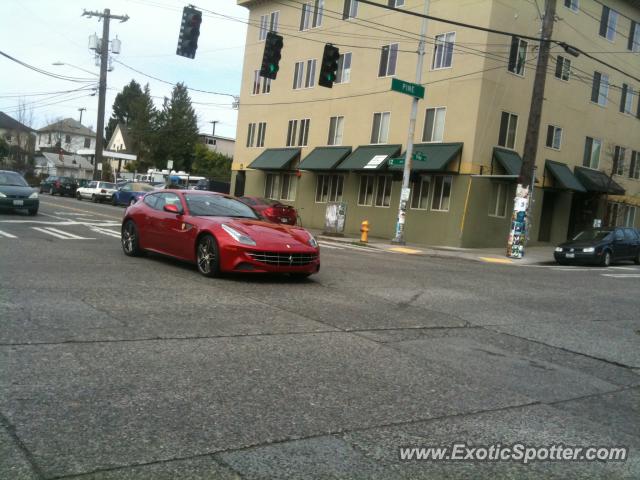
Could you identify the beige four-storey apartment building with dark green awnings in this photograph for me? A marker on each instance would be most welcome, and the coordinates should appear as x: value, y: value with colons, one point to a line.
x: 309, y: 146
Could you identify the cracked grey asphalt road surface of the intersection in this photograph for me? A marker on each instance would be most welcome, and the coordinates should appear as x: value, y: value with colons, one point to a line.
x: 113, y: 367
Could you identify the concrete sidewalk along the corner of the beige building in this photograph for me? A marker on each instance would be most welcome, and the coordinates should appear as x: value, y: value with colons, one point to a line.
x: 534, y: 255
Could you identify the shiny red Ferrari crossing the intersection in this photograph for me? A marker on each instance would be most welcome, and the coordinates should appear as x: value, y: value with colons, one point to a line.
x: 217, y: 233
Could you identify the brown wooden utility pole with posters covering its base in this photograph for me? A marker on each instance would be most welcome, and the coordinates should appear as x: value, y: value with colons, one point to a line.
x: 526, y: 181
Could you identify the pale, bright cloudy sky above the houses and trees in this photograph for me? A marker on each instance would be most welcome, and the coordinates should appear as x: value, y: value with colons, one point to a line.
x: 41, y: 32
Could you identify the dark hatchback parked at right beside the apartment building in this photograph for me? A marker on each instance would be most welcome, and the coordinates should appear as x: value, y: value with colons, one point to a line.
x: 600, y: 246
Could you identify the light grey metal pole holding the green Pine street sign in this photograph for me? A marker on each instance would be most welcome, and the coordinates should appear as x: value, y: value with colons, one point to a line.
x: 406, y: 174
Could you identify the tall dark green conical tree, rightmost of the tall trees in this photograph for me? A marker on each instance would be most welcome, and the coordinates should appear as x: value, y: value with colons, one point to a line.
x: 177, y: 131
